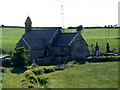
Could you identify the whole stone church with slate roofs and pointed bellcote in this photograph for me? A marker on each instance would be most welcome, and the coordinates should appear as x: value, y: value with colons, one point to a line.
x: 52, y: 43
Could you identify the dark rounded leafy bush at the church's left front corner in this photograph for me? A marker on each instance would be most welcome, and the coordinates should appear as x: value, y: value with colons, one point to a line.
x: 19, y: 58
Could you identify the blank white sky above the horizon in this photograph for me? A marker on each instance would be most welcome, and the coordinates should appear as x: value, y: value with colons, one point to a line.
x: 45, y: 13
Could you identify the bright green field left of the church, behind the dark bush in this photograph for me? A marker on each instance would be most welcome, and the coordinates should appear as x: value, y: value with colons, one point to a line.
x: 10, y: 36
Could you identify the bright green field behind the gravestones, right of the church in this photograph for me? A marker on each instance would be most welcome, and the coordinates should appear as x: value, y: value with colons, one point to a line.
x: 102, y: 36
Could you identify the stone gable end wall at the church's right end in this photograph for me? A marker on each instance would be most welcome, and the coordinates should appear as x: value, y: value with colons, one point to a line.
x: 79, y: 48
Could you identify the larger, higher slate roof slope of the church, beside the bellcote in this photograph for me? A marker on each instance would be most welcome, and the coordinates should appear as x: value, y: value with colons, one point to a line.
x: 37, y: 39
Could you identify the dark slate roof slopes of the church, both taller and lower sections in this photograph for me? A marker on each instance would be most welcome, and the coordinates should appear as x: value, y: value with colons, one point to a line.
x: 37, y: 39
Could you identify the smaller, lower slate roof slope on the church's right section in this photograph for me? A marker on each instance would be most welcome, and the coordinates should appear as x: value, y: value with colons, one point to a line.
x: 64, y: 39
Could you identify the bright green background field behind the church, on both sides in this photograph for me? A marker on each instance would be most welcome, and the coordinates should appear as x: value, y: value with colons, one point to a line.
x: 10, y: 36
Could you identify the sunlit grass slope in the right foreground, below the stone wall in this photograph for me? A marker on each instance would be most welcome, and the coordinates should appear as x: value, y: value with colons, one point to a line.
x: 90, y: 75
